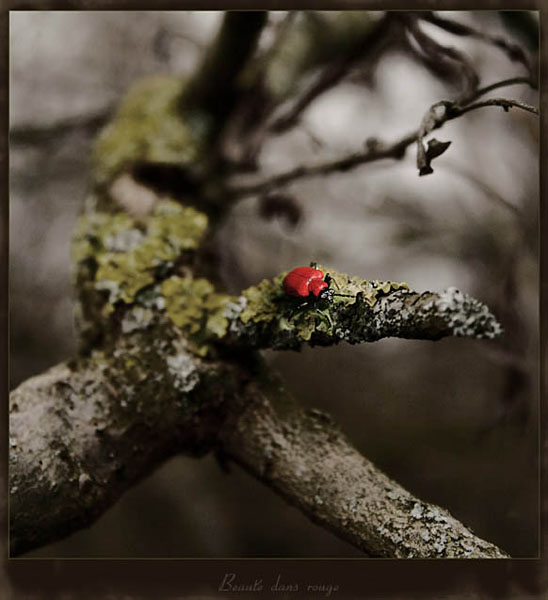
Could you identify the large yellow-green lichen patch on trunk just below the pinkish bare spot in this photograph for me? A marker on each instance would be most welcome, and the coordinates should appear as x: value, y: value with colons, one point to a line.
x: 127, y: 253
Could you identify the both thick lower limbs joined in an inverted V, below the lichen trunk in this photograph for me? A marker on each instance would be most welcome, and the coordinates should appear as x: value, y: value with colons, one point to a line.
x: 81, y: 434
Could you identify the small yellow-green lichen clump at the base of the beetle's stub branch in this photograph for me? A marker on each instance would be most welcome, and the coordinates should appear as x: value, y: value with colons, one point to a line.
x: 195, y: 307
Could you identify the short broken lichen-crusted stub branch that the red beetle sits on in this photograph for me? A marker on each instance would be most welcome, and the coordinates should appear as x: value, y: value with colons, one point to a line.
x: 264, y: 318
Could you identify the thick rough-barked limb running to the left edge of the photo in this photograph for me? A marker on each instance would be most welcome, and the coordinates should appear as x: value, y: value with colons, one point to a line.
x: 82, y: 433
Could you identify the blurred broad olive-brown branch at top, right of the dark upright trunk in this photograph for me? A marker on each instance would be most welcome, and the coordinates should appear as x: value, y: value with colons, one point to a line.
x: 331, y: 46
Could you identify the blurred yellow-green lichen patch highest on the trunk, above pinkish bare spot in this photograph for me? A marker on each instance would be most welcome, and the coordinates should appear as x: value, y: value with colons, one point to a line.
x: 149, y: 126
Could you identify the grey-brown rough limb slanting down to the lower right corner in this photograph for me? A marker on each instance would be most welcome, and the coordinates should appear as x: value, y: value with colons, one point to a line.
x: 306, y: 459
